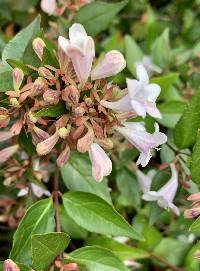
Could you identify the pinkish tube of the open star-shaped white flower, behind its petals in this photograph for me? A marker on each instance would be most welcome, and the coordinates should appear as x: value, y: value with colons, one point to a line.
x: 122, y: 105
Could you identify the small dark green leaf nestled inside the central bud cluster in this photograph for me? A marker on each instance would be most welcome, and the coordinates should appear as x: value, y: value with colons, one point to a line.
x: 52, y: 111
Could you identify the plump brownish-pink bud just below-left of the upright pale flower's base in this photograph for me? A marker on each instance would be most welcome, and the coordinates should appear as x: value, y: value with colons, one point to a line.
x: 70, y: 95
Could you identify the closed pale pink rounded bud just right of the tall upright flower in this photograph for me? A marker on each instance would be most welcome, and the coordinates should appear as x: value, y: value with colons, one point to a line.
x: 112, y: 63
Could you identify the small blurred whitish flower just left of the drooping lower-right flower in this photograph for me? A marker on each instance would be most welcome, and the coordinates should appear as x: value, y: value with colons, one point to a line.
x: 145, y: 180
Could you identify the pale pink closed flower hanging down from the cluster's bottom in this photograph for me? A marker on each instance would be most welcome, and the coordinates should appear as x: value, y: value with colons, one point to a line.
x: 101, y: 163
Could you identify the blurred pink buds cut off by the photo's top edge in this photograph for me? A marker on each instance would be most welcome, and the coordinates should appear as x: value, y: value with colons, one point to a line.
x: 57, y: 8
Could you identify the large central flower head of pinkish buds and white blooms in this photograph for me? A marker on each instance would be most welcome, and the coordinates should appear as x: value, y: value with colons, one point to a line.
x: 94, y: 108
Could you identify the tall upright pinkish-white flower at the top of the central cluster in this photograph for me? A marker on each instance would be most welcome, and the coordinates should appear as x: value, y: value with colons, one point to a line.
x: 80, y: 48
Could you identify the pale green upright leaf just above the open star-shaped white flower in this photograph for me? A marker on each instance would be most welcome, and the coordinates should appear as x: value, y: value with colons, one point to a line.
x: 133, y: 53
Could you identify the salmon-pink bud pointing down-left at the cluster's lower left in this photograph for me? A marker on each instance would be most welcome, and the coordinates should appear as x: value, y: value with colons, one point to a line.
x: 47, y: 145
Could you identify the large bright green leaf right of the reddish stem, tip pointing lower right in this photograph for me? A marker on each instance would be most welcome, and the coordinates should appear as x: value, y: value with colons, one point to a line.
x: 96, y: 215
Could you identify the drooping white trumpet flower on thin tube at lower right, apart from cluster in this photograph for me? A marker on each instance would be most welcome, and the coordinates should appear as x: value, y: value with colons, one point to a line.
x: 166, y: 194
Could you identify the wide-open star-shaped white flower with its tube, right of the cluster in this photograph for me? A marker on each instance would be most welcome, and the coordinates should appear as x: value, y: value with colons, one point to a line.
x: 141, y: 96
